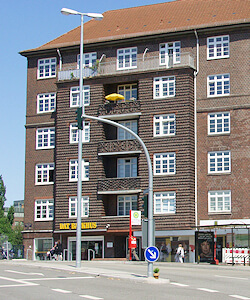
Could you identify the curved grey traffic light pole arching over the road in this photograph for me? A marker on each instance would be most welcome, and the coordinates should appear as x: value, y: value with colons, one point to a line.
x: 150, y: 182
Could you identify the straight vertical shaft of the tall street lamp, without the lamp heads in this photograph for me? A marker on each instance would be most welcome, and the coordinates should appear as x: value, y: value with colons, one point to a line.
x: 79, y: 180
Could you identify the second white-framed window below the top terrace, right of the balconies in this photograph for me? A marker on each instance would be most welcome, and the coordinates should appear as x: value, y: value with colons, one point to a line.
x: 164, y: 125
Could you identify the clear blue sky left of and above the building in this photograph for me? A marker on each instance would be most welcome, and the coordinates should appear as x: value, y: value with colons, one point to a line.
x: 27, y: 24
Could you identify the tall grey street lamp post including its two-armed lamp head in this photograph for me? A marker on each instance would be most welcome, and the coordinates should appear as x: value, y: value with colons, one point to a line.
x: 67, y: 11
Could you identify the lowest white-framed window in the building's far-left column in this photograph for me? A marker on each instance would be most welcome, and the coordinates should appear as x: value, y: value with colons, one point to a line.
x: 44, y: 210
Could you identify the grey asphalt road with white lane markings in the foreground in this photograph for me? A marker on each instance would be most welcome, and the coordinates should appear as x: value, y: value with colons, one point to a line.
x: 120, y: 280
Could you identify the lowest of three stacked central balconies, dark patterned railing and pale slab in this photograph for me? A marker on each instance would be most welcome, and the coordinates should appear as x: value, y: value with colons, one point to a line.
x: 119, y: 185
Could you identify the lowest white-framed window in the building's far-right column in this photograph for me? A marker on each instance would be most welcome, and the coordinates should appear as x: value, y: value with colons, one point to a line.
x: 219, y: 201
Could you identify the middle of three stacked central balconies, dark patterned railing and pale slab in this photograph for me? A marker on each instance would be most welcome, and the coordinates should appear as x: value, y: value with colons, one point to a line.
x: 118, y: 147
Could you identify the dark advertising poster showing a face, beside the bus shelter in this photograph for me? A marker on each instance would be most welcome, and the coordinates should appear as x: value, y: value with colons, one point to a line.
x: 204, y: 241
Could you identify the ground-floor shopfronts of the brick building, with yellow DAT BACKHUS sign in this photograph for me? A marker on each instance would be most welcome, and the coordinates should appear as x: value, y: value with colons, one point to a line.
x: 231, y: 243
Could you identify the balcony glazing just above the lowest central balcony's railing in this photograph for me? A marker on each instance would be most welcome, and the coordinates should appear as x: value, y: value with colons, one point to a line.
x: 126, y: 167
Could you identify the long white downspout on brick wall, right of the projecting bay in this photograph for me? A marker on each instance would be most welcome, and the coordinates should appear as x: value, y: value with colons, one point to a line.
x: 195, y: 129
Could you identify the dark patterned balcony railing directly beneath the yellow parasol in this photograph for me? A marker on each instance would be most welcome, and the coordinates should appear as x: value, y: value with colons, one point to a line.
x: 118, y: 108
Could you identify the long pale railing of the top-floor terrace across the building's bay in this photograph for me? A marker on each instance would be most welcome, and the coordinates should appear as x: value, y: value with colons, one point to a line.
x: 109, y: 67
